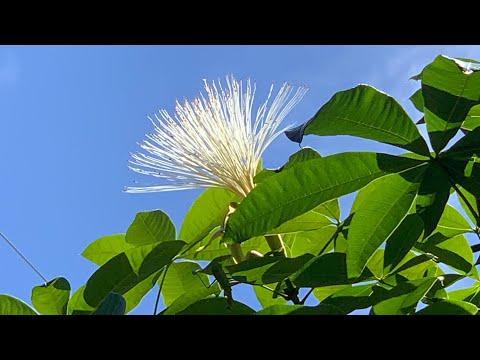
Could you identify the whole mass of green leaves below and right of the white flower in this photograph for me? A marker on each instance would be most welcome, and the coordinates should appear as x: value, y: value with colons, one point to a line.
x: 384, y: 255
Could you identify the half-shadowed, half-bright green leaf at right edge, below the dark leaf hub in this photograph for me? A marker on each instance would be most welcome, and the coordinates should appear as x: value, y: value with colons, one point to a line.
x: 455, y: 252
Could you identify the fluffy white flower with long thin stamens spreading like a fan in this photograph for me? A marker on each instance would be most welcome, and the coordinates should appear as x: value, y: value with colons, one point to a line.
x: 213, y: 141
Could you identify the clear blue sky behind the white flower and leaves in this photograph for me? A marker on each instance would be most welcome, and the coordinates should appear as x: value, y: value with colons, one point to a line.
x: 71, y: 115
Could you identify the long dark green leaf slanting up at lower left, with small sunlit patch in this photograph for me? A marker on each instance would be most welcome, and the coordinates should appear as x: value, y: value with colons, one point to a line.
x: 126, y: 270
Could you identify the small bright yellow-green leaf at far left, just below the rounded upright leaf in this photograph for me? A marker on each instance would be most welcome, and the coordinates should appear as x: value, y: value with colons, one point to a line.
x: 105, y: 248
